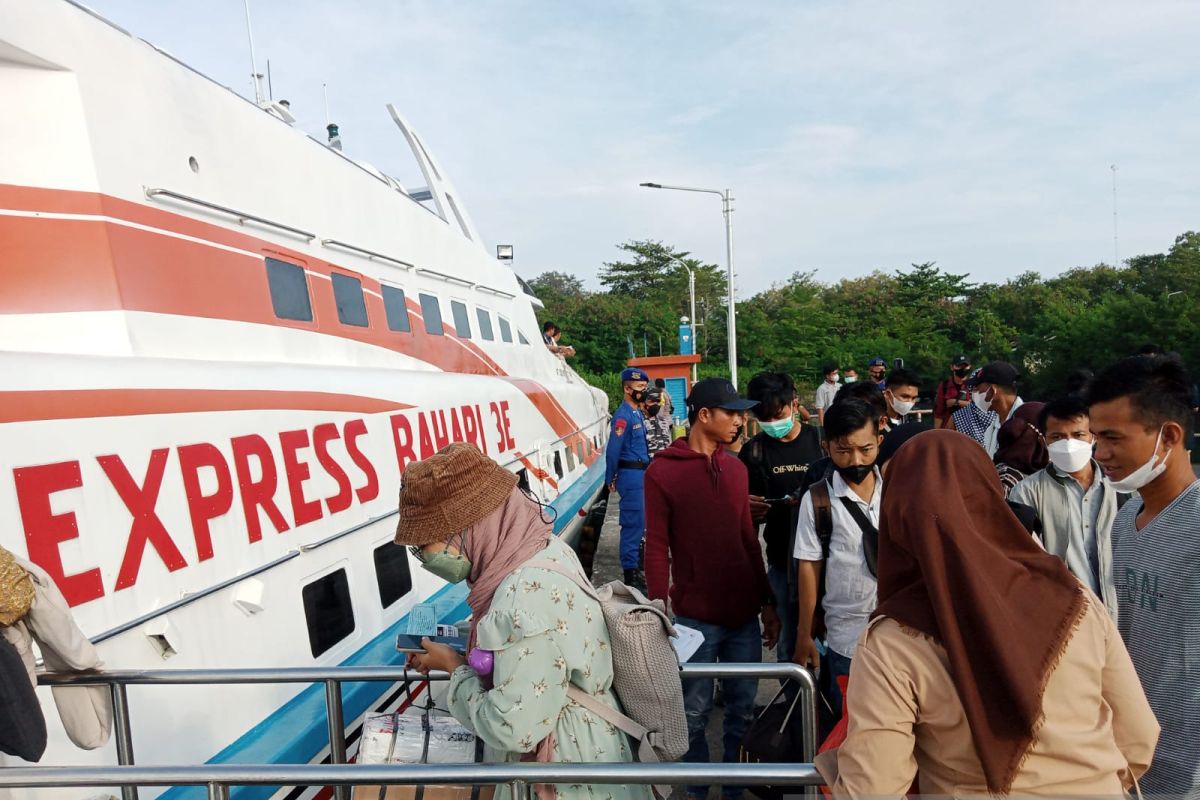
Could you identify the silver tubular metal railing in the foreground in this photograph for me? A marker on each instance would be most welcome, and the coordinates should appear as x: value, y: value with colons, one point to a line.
x: 343, y: 777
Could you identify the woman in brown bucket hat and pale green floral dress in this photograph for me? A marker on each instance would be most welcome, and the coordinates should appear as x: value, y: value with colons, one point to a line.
x: 466, y: 520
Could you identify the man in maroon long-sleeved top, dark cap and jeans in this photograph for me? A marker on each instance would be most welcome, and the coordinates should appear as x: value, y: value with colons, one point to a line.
x: 703, y: 552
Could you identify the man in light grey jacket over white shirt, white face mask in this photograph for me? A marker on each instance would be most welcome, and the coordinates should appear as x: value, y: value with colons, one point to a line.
x: 1075, y: 501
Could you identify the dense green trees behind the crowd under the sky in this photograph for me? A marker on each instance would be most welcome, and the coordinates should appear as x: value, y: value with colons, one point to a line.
x: 1083, y: 318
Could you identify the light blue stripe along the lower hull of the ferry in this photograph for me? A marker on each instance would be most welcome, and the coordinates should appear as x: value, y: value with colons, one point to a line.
x: 298, y: 731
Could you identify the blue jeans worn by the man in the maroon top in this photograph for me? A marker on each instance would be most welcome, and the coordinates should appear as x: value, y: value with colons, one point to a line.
x: 728, y: 646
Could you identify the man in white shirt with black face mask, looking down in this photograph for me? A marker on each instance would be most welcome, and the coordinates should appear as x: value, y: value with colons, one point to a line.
x: 835, y: 550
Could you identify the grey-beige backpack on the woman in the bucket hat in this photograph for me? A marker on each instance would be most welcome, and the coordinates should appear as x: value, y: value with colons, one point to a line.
x: 646, y: 669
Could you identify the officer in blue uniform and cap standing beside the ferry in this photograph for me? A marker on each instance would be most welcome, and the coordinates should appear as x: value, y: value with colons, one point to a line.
x: 627, y: 459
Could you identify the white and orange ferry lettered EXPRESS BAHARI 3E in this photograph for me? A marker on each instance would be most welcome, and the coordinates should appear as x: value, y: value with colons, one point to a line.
x: 223, y: 342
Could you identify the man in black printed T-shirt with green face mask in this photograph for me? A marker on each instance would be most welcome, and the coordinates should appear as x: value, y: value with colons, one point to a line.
x: 777, y: 461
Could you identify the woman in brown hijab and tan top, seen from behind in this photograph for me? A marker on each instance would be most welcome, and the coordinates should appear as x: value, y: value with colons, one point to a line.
x: 987, y: 667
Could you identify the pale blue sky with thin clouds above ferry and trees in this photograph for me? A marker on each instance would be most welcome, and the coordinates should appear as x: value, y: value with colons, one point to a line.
x: 854, y: 136
